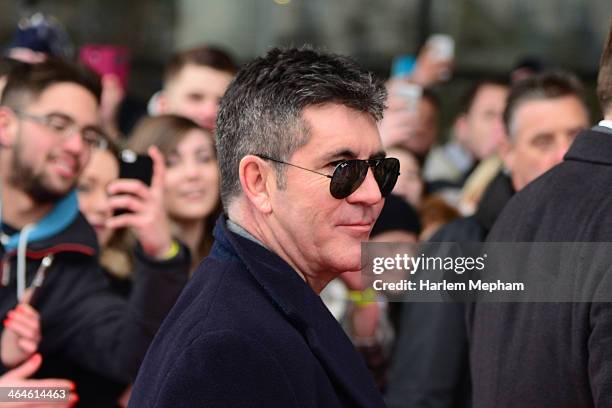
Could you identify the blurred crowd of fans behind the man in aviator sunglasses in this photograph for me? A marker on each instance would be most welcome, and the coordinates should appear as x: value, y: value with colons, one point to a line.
x: 81, y: 303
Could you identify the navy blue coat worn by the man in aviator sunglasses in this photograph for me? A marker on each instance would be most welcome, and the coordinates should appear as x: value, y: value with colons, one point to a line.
x: 247, y: 331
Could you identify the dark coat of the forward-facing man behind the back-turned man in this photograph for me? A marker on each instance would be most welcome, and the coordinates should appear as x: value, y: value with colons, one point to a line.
x: 430, y: 366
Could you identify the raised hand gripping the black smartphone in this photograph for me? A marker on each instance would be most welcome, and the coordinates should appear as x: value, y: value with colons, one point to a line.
x: 147, y: 214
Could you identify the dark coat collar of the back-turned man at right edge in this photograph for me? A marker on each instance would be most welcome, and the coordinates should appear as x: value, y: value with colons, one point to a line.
x: 593, y: 145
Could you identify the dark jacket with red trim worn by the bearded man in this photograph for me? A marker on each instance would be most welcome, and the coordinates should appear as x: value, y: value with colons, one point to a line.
x: 90, y: 335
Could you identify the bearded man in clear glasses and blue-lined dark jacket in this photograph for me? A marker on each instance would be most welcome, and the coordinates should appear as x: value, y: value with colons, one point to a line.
x: 49, y: 253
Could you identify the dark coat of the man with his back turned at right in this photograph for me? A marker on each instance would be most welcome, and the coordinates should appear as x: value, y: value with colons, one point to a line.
x: 551, y: 354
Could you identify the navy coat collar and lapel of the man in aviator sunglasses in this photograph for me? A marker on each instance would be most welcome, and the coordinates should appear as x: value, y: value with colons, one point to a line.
x: 305, y: 310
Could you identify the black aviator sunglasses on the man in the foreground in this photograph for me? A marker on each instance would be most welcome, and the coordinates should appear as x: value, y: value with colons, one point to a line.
x: 350, y: 174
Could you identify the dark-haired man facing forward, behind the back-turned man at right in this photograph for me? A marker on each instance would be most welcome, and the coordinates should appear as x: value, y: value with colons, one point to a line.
x: 430, y: 367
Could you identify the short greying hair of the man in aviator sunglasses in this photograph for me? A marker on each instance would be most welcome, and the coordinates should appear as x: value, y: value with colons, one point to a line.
x: 261, y: 111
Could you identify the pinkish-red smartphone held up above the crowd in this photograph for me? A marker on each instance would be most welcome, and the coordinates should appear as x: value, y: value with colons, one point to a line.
x: 107, y: 59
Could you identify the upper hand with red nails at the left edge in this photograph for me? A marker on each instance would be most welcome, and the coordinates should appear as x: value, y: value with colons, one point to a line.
x: 20, y: 336
